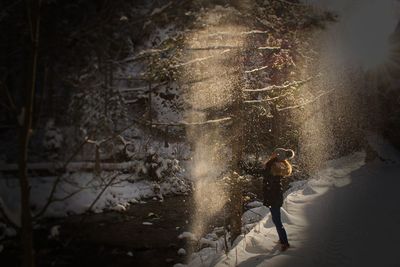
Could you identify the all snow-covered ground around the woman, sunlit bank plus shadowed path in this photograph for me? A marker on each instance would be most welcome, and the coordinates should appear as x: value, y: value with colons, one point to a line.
x: 346, y: 215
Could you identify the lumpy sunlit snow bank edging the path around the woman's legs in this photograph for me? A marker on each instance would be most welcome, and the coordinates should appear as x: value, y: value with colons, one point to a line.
x: 258, y: 247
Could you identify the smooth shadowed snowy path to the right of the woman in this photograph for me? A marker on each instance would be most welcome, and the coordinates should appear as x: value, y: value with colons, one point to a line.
x: 355, y: 225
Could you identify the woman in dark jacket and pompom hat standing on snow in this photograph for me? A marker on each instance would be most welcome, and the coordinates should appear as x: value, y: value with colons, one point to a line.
x: 275, y: 169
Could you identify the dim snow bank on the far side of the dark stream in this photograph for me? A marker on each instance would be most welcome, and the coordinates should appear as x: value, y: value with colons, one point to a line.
x: 76, y: 192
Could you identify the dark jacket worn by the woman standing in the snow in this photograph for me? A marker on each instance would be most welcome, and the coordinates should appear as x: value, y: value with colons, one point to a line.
x: 272, y: 186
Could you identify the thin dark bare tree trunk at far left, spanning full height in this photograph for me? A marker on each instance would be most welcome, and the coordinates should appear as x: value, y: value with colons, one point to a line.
x: 33, y: 7
